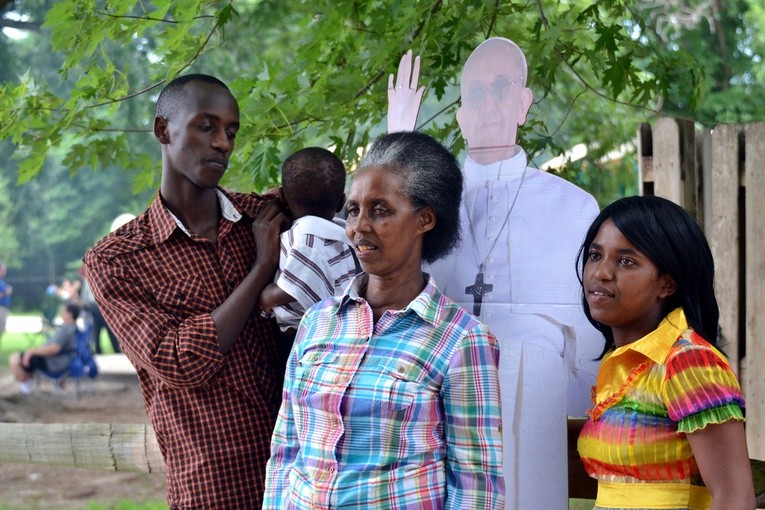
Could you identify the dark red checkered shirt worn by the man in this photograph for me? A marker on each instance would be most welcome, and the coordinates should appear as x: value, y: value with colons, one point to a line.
x: 213, y: 414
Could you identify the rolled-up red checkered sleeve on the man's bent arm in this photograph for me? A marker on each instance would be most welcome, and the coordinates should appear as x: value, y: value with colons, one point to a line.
x: 181, y: 353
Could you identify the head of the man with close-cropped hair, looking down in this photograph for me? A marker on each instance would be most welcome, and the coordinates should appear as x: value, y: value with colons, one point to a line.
x: 196, y: 121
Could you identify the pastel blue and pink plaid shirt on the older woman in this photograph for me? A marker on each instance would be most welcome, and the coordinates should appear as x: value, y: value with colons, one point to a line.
x: 402, y: 414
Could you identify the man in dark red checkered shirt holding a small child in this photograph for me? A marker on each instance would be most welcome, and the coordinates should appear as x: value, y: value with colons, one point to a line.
x: 179, y: 286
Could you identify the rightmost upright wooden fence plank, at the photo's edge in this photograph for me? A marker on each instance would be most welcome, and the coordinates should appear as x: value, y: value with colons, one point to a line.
x: 754, y: 385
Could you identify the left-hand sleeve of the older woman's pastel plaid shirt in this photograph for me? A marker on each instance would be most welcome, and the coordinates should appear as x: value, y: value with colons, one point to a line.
x: 285, y: 445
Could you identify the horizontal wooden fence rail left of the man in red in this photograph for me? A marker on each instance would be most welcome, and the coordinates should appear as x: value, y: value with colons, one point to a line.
x: 111, y: 447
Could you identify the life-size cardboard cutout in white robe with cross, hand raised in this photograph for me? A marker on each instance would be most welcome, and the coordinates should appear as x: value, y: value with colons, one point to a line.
x: 516, y: 270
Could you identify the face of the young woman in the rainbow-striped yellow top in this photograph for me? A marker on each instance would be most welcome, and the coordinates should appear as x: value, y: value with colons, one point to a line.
x: 623, y: 287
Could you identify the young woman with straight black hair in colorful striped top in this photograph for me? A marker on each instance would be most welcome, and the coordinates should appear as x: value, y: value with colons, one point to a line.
x: 666, y: 430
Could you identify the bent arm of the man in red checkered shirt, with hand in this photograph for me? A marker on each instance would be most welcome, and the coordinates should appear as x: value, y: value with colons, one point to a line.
x: 187, y: 352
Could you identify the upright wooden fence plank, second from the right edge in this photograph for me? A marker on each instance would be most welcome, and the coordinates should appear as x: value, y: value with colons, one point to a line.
x: 722, y: 229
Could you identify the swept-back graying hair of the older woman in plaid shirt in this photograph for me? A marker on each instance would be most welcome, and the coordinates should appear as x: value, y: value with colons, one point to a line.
x: 432, y: 179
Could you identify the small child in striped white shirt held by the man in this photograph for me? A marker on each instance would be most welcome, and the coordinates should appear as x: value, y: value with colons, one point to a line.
x: 316, y: 260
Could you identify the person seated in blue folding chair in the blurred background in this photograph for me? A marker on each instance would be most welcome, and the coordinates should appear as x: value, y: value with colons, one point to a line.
x: 53, y: 357
